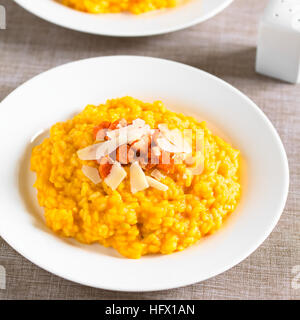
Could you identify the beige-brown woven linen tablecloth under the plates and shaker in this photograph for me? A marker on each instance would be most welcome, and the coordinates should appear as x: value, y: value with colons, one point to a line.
x: 223, y: 46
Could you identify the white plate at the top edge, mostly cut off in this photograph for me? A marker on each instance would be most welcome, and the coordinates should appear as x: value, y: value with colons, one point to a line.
x: 125, y: 24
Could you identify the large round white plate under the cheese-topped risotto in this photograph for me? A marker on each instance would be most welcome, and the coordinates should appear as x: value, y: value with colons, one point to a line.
x: 57, y: 94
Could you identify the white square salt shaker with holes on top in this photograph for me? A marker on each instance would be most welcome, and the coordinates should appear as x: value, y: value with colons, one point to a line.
x: 278, y: 48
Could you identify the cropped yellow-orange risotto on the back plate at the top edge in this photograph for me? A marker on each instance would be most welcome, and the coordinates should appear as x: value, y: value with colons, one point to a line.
x: 114, y: 6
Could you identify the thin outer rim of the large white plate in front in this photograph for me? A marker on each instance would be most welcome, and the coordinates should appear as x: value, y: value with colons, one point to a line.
x: 235, y: 261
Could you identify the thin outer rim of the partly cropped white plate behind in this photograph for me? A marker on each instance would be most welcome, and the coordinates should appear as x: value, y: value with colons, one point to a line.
x: 57, y: 22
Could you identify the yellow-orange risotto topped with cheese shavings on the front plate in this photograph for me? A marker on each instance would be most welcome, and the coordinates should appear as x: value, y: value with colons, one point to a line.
x: 136, y: 177
